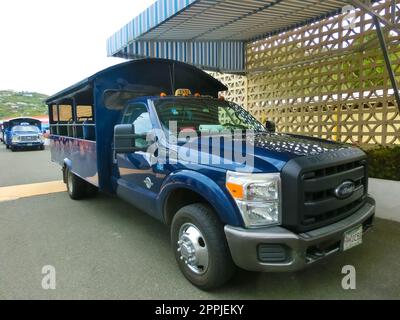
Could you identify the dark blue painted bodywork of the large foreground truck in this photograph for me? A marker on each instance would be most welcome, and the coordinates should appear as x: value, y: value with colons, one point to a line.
x: 148, y: 185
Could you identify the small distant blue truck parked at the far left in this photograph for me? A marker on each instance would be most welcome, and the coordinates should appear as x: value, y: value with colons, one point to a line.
x: 23, y: 133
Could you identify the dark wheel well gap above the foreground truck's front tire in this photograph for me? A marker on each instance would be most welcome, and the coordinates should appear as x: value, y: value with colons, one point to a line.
x: 180, y: 198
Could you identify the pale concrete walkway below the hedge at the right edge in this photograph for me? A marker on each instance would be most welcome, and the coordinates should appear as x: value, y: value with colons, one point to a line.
x: 387, y: 196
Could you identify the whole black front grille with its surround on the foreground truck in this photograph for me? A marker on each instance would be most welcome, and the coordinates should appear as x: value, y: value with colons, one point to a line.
x: 308, y: 188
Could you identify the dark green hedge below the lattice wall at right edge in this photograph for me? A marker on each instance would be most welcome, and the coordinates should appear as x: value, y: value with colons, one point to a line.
x: 384, y: 162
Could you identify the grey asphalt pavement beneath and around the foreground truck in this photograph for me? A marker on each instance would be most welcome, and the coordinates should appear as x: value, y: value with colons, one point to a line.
x: 103, y: 248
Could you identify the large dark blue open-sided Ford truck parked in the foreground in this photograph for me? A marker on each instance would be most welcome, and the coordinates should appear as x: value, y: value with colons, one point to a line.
x: 150, y: 131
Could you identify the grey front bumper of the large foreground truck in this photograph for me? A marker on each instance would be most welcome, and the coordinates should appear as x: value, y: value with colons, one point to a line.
x: 295, y: 251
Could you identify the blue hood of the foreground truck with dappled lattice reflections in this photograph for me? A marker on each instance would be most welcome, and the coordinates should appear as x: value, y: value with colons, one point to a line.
x: 266, y: 152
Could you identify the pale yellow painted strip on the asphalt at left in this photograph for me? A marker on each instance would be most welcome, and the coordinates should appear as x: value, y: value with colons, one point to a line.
x: 31, y: 190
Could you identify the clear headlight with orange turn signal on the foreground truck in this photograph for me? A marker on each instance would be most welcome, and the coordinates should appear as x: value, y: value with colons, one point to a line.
x: 257, y: 197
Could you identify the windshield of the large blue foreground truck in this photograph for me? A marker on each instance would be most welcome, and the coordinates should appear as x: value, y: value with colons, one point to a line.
x: 205, y: 115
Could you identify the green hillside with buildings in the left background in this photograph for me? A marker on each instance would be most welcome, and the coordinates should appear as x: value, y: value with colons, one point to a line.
x: 16, y: 104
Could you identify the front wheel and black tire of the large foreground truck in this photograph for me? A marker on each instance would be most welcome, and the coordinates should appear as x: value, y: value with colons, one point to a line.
x: 220, y: 267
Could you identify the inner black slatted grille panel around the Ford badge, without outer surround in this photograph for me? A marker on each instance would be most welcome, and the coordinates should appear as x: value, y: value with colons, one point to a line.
x: 320, y: 205
